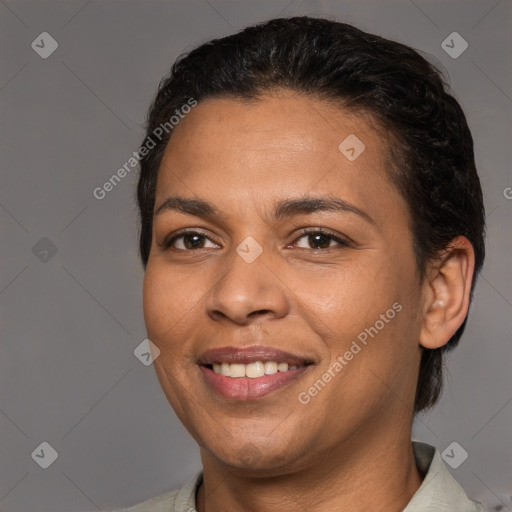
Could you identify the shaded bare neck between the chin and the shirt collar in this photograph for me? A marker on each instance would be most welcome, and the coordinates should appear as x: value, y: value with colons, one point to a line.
x: 365, y: 473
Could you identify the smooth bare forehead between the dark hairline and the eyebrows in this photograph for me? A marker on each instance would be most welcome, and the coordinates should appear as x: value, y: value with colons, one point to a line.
x: 280, y: 144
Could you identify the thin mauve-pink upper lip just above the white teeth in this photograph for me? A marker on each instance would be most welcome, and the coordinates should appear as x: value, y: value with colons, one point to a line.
x: 250, y: 354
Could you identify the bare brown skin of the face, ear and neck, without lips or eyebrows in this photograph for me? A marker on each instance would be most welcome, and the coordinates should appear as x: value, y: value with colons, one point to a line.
x: 348, y: 448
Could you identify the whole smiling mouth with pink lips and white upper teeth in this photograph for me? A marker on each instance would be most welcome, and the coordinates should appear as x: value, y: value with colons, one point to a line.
x: 249, y: 373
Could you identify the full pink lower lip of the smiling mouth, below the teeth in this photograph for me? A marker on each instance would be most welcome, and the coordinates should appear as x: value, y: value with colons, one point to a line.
x: 245, y: 388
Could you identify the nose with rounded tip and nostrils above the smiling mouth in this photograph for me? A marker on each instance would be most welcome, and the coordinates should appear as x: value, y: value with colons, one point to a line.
x: 248, y: 290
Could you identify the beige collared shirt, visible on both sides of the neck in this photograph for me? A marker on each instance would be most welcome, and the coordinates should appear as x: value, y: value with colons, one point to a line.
x: 439, y: 491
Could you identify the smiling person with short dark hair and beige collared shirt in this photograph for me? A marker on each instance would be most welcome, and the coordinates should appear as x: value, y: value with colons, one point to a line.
x: 311, y: 228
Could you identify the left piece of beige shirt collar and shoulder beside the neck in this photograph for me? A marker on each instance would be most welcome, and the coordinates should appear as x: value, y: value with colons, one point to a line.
x: 181, y: 500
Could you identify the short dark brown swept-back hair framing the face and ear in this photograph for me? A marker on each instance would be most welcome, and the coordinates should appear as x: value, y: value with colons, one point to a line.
x: 431, y: 158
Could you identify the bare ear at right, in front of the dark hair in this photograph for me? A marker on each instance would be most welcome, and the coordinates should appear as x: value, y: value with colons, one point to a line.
x: 446, y: 293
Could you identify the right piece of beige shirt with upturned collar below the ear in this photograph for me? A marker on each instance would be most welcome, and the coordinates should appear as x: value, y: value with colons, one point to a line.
x: 439, y: 491
